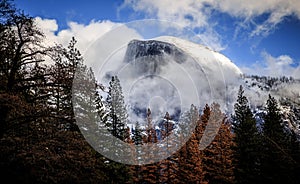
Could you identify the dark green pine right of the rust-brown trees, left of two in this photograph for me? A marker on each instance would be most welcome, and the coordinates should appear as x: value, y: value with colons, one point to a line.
x: 246, y: 140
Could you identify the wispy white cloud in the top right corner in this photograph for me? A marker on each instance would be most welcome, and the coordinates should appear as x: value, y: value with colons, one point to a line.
x: 249, y: 10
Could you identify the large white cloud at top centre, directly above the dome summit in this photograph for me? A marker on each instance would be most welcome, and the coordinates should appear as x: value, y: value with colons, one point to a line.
x: 188, y: 13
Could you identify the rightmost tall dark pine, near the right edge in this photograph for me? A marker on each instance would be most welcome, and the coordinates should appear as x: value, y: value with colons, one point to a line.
x: 276, y: 161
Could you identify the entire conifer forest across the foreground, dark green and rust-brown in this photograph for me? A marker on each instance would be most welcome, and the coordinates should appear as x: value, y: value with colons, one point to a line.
x: 41, y: 142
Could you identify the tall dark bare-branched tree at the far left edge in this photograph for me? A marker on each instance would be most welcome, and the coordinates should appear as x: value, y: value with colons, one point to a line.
x: 22, y: 76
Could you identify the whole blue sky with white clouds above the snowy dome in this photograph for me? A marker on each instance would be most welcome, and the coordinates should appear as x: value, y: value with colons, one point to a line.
x: 261, y: 38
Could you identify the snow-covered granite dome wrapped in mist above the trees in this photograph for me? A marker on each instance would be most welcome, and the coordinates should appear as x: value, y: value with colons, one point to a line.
x: 170, y: 74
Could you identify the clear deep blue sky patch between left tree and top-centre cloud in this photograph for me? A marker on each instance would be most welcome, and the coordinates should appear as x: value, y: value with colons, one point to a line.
x: 71, y: 10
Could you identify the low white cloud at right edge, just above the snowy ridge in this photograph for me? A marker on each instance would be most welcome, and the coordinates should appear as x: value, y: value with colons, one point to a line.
x: 274, y: 66
